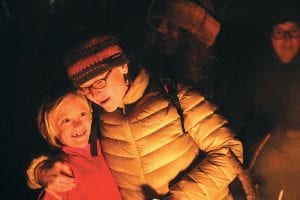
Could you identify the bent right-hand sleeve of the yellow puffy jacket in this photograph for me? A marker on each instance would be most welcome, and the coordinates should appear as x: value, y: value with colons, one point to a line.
x: 211, y: 177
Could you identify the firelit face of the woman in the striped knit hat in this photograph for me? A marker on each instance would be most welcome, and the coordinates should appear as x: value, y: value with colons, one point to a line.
x: 111, y: 96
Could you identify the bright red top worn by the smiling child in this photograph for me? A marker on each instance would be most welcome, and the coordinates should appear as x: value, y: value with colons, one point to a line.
x: 92, y: 177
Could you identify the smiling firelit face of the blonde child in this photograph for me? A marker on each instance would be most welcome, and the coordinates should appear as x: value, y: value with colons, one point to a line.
x: 72, y: 119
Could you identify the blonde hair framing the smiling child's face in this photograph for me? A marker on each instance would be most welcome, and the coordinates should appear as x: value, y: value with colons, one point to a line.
x: 46, y: 112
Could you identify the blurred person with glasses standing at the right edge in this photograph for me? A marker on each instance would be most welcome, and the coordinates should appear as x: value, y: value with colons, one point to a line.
x: 277, y: 94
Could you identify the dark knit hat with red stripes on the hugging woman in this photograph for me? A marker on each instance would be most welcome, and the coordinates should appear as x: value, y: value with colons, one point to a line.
x: 94, y: 57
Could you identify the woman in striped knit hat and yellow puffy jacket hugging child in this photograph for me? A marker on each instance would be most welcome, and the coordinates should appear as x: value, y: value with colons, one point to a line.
x: 150, y: 153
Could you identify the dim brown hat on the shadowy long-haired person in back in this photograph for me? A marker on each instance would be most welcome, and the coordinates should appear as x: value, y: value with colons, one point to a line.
x: 189, y: 16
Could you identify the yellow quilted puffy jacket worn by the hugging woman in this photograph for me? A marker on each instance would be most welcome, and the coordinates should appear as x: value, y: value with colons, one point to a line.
x: 149, y: 155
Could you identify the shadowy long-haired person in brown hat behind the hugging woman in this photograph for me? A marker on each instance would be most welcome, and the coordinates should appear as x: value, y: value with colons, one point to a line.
x: 179, y: 45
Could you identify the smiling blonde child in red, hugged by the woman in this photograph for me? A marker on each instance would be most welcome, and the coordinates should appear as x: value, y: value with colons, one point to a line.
x: 66, y: 124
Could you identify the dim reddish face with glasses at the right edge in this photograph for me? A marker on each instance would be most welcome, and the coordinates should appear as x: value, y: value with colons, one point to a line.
x: 285, y: 42
